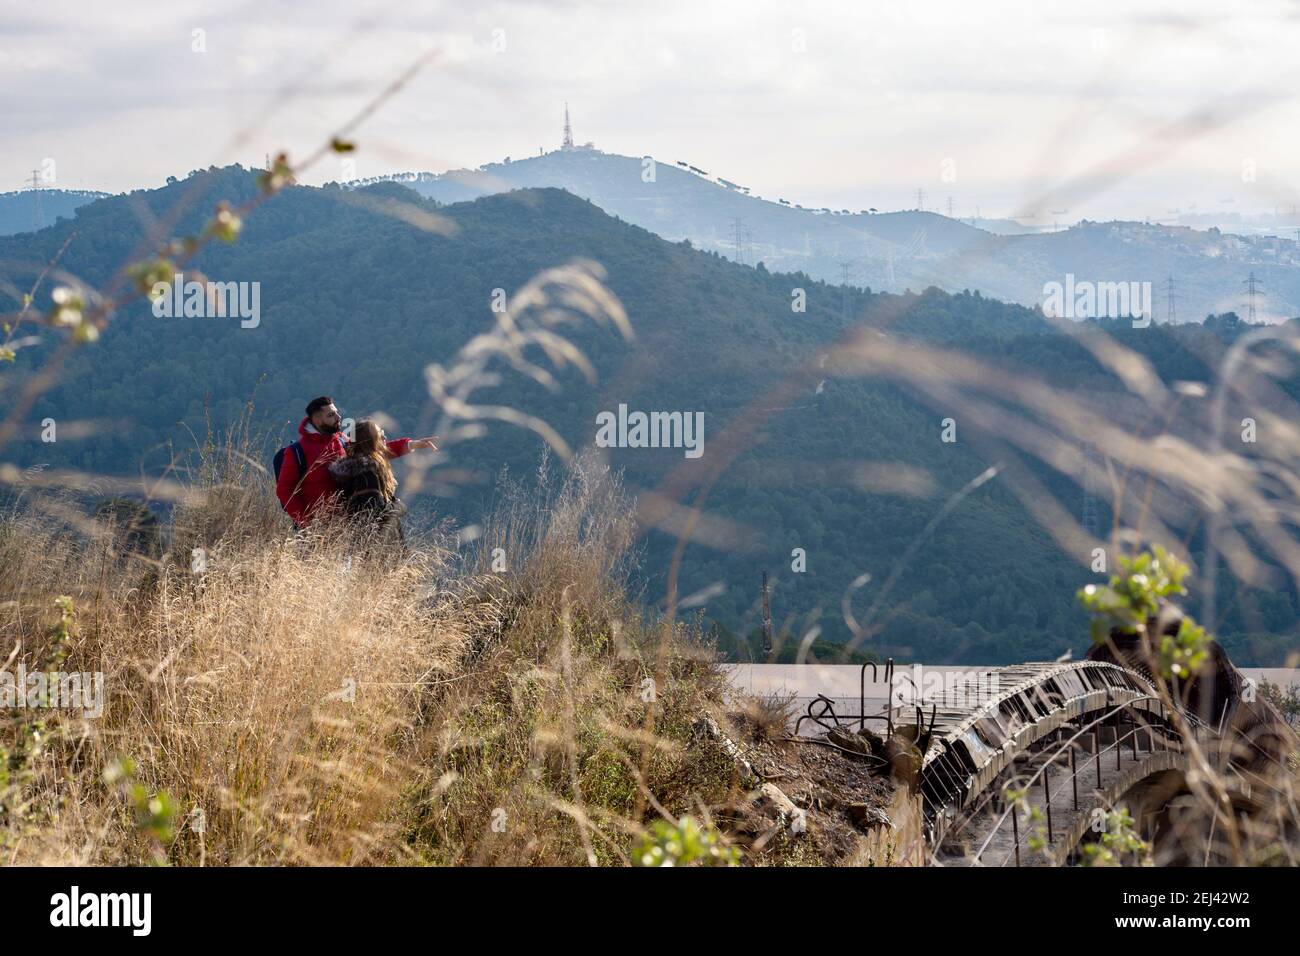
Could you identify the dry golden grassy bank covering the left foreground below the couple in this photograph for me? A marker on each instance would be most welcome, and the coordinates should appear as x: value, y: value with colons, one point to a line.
x: 300, y: 704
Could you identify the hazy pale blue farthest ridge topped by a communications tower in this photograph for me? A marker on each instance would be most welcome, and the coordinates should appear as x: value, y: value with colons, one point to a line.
x: 911, y: 250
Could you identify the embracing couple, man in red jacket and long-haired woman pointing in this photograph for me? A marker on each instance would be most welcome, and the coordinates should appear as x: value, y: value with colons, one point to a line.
x: 322, y: 475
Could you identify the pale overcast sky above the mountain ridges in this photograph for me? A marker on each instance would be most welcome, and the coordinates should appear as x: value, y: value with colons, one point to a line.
x: 1102, y: 110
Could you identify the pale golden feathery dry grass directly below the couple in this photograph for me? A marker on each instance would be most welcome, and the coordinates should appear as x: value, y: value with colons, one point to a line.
x: 268, y: 695
